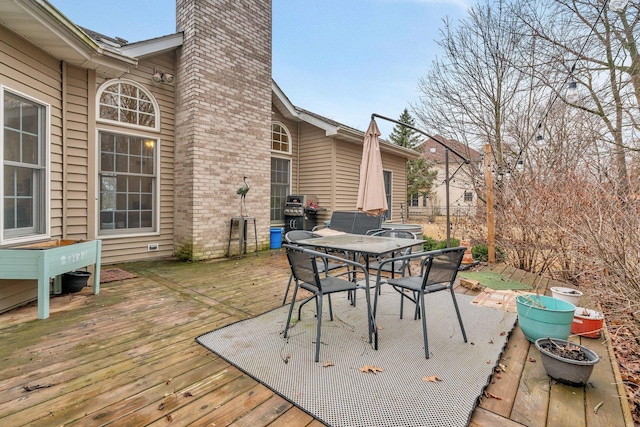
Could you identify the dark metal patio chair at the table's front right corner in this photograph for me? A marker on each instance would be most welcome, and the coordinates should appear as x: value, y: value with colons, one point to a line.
x: 438, y: 271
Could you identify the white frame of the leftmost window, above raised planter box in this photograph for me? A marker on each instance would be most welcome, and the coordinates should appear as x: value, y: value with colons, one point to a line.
x: 44, y: 214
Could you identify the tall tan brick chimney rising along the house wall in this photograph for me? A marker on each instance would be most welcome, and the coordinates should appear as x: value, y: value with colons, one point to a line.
x: 223, y: 121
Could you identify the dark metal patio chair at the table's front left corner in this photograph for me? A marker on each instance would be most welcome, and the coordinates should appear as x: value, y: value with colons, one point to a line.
x: 304, y: 267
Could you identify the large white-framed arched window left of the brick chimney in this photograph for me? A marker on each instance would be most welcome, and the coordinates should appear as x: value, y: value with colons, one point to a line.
x: 126, y: 103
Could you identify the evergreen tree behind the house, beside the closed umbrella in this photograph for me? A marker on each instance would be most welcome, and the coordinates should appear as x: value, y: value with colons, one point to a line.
x: 419, y: 175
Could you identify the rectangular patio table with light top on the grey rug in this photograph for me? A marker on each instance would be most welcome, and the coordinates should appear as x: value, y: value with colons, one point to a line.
x: 362, y: 244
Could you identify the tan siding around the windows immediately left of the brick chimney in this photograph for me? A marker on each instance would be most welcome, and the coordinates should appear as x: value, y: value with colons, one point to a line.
x: 123, y: 248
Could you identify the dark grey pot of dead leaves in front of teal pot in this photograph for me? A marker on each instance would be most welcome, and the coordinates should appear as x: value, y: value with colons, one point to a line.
x: 566, y: 371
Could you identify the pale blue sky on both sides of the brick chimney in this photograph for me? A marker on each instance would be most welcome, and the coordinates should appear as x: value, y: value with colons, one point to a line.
x: 343, y: 59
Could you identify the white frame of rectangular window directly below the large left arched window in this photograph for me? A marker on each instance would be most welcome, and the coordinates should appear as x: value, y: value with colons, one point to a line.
x: 126, y: 232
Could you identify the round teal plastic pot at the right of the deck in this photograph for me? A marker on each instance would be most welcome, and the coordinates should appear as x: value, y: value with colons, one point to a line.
x: 544, y: 317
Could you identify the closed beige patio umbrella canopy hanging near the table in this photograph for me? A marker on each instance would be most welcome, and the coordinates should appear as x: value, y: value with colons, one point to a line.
x: 372, y: 198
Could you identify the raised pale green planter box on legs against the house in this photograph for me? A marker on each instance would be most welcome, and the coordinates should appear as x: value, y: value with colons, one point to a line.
x: 42, y: 261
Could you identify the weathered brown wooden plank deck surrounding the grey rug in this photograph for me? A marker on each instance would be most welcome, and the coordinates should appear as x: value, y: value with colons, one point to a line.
x: 128, y: 356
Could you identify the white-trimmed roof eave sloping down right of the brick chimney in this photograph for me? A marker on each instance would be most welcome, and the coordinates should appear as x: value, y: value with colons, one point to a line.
x: 331, y: 127
